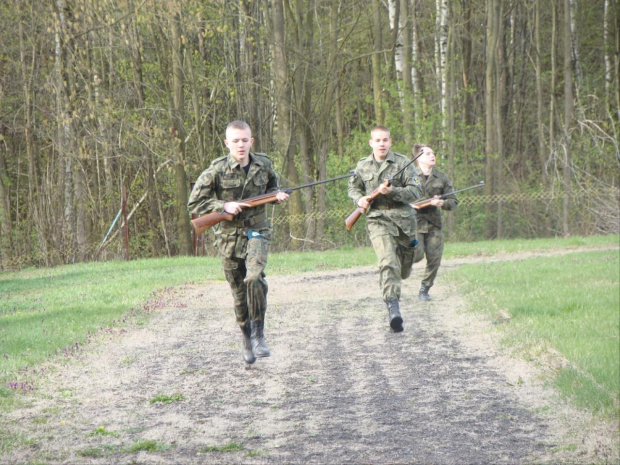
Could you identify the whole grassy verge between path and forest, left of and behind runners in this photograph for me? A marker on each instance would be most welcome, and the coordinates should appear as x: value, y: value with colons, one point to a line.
x: 44, y: 311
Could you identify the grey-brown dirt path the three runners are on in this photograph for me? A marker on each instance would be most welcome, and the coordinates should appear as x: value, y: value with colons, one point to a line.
x: 338, y: 388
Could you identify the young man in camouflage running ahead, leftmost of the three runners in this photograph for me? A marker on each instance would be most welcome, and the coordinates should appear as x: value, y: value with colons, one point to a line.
x: 244, y: 242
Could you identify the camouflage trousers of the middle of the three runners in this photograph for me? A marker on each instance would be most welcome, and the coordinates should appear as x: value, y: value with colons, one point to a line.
x: 395, y: 258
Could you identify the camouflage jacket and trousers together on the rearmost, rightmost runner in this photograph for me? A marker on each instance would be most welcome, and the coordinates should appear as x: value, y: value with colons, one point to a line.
x: 430, y: 223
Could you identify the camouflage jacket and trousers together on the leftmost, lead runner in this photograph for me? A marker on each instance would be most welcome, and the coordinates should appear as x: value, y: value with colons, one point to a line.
x: 244, y: 242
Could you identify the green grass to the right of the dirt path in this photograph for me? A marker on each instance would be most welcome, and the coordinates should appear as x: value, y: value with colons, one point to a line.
x: 569, y: 304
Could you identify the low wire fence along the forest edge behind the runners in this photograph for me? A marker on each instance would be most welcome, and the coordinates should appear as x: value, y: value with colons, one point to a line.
x: 594, y: 210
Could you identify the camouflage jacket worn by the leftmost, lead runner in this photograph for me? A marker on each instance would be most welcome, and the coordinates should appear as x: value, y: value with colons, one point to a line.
x: 225, y: 181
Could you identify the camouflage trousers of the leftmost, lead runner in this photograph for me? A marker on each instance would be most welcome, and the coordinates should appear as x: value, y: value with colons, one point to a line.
x: 246, y: 278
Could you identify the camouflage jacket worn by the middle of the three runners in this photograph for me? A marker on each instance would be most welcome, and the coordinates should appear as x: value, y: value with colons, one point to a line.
x: 394, y: 208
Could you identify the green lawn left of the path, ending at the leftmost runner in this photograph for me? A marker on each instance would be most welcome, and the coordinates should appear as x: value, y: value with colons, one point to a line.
x: 43, y: 311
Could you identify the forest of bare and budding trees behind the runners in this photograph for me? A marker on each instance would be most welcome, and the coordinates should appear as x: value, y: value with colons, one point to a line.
x: 110, y: 109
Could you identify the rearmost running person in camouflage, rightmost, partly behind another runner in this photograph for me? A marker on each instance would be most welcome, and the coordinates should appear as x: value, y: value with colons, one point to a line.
x: 429, y: 218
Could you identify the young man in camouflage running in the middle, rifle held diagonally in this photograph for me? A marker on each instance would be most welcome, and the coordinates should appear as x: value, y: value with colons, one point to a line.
x: 391, y: 219
